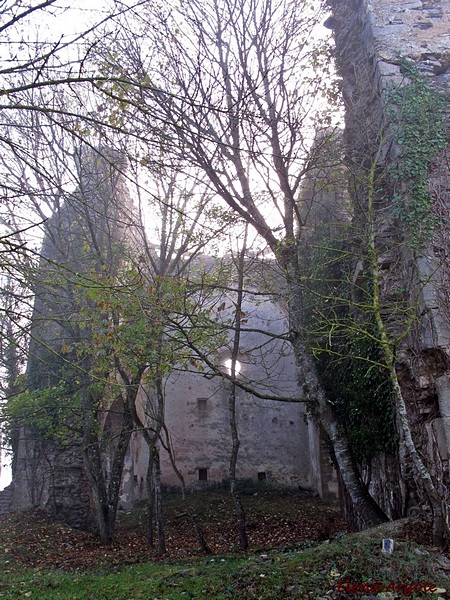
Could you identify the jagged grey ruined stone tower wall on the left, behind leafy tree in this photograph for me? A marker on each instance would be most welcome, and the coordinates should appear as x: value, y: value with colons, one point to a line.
x: 48, y: 474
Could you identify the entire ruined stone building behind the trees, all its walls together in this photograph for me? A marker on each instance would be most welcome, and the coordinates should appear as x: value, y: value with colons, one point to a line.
x: 374, y: 41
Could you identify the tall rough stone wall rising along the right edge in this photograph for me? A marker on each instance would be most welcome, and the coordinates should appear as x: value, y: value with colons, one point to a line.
x: 374, y: 42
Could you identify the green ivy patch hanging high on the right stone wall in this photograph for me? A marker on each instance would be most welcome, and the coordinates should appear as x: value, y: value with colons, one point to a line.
x: 416, y: 113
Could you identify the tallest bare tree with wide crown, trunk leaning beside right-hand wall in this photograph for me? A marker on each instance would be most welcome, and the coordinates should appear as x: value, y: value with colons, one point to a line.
x: 236, y: 97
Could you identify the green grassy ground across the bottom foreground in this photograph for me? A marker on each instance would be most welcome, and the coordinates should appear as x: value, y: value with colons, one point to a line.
x: 350, y: 566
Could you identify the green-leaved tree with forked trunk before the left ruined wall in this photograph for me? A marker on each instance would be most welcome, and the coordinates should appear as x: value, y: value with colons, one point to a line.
x: 83, y: 251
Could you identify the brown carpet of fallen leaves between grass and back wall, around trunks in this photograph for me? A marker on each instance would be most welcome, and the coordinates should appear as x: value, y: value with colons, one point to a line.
x: 275, y: 519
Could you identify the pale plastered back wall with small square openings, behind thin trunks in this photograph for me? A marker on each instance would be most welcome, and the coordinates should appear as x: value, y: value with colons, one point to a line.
x: 275, y: 437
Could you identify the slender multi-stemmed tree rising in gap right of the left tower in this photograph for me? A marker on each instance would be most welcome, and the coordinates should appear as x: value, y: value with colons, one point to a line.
x: 180, y: 228
